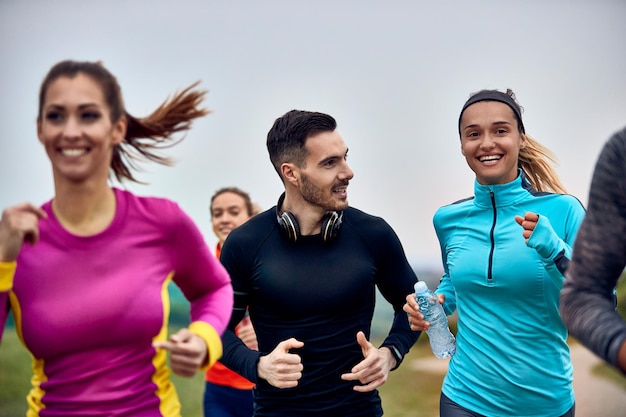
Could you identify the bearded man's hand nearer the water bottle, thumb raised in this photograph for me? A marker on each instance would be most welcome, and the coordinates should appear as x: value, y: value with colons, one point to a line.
x: 372, y: 371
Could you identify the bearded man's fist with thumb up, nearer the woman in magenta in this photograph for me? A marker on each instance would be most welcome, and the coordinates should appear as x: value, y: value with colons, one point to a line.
x: 281, y: 368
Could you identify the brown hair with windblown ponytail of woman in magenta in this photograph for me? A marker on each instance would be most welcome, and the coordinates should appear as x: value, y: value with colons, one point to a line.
x: 144, y: 136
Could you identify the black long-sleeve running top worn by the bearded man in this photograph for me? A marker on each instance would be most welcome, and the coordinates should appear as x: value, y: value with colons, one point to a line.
x: 321, y: 293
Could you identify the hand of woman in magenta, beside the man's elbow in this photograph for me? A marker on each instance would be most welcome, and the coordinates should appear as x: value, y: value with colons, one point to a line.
x: 188, y: 352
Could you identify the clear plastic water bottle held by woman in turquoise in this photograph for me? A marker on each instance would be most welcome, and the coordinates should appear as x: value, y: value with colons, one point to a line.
x: 442, y: 341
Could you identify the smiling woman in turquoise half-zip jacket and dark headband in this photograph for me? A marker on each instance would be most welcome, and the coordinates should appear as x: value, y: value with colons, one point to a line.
x: 504, y: 254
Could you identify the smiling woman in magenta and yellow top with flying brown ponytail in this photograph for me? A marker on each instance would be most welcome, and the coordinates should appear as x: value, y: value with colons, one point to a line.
x: 86, y: 274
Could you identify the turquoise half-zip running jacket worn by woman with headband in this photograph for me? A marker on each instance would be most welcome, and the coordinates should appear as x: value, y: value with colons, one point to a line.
x: 512, y: 358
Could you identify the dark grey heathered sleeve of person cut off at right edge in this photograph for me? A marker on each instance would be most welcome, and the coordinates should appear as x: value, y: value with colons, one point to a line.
x: 599, y: 256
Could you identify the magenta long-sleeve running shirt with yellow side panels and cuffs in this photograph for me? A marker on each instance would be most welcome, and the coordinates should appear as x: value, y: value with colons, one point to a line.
x: 89, y: 308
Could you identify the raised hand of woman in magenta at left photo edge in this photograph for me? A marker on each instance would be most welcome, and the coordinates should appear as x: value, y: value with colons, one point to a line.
x: 19, y: 224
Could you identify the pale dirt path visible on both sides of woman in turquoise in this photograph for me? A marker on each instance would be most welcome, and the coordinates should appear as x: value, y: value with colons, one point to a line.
x: 596, y: 396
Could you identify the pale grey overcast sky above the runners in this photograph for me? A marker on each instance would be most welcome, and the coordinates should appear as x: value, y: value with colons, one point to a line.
x: 394, y: 73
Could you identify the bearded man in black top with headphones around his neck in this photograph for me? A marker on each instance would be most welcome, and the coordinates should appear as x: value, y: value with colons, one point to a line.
x: 307, y: 269
